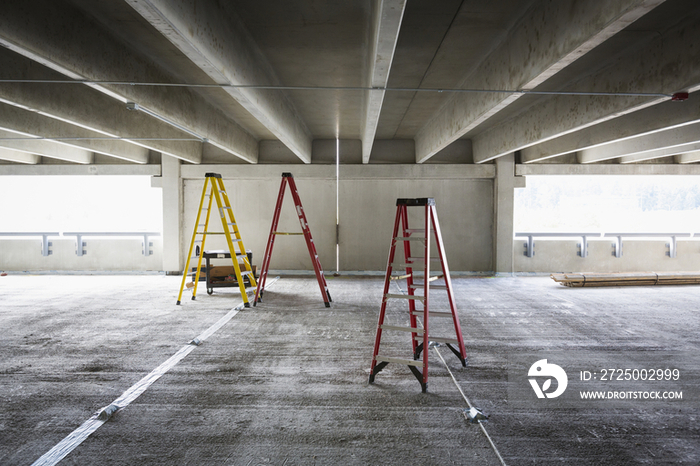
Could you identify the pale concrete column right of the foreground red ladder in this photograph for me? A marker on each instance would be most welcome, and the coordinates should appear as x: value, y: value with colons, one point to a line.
x: 503, y: 201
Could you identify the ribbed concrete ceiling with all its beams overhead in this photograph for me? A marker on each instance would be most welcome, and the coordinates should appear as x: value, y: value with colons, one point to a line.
x: 245, y: 81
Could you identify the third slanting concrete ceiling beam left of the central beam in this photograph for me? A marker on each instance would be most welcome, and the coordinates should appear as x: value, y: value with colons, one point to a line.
x: 89, y: 109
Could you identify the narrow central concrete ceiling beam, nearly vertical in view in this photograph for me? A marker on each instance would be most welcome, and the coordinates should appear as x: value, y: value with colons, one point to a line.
x: 386, y: 23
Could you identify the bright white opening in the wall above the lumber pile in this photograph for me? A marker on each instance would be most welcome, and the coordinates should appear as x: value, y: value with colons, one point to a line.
x: 609, y: 204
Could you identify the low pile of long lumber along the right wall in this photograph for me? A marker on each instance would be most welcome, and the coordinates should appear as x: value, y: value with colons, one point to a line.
x: 626, y: 279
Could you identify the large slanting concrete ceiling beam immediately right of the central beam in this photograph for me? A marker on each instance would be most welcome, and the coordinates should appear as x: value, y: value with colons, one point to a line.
x: 549, y: 38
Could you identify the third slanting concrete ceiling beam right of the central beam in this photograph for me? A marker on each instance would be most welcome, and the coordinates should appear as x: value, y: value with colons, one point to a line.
x: 665, y: 116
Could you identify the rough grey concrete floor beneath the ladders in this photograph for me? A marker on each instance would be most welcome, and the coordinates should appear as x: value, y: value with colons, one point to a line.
x: 285, y: 383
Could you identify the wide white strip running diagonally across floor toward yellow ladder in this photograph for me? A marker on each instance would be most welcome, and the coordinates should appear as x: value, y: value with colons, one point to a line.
x: 75, y: 438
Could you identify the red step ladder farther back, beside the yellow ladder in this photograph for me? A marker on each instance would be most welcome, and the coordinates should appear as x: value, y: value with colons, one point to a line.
x: 288, y: 179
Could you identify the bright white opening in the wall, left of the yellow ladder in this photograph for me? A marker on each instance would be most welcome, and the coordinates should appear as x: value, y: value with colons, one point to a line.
x: 80, y: 203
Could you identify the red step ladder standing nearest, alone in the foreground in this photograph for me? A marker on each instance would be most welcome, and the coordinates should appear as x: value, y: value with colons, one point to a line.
x: 421, y: 339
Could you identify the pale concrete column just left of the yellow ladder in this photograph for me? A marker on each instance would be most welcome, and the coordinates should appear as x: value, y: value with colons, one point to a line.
x: 172, y: 215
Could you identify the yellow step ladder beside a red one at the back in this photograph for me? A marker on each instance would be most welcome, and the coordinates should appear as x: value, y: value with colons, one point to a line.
x: 214, y: 189
